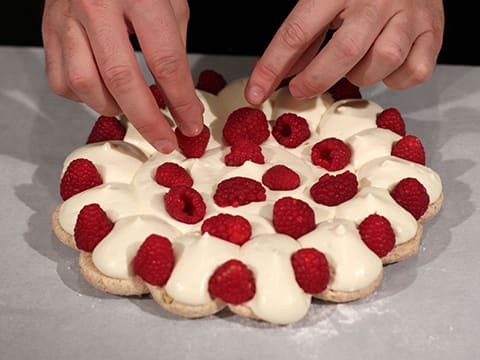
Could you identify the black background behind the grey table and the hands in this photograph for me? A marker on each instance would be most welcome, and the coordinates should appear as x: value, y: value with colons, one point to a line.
x: 240, y: 28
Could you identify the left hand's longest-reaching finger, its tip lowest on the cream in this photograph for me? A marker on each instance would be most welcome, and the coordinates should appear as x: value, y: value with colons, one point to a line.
x: 119, y: 68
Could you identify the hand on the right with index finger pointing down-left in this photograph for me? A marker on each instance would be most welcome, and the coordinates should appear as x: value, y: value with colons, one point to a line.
x: 396, y: 42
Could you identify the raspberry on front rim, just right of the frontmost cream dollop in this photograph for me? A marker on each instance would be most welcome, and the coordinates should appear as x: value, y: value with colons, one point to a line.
x: 311, y: 270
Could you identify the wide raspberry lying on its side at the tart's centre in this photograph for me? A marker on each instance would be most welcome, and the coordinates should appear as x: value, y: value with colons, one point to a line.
x: 237, y: 191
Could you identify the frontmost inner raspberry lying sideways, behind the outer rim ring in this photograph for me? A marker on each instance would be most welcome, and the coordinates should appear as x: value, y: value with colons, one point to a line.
x: 233, y: 228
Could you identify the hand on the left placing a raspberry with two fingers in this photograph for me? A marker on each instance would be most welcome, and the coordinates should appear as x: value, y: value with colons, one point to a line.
x: 89, y: 58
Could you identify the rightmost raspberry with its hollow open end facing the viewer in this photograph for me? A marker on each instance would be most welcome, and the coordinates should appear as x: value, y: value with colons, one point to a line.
x: 332, y: 154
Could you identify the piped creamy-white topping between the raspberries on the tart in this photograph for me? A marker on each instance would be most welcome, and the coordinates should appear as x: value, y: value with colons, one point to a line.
x: 134, y: 202
